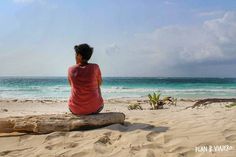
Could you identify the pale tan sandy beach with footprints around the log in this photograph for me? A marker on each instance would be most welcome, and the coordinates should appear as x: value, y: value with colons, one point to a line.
x: 170, y: 132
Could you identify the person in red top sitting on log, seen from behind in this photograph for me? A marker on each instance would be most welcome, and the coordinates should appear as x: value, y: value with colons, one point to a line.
x: 85, y: 80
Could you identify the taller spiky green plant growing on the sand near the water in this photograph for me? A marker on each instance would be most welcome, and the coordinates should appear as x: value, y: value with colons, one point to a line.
x: 157, y: 103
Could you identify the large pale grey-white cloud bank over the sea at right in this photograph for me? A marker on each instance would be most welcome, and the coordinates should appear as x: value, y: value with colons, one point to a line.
x: 172, y: 47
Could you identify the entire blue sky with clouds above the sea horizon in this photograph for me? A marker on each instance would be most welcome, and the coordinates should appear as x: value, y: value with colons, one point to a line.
x: 131, y: 38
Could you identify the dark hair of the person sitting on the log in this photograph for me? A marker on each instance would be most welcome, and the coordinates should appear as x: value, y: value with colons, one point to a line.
x: 84, y: 50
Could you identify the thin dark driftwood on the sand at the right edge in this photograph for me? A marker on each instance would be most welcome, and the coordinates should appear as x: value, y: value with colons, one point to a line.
x: 205, y: 102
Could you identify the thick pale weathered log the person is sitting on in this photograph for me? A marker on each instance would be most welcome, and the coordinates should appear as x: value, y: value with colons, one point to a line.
x: 58, y: 122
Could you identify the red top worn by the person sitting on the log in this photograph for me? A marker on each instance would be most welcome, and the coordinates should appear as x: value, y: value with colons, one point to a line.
x: 85, y: 90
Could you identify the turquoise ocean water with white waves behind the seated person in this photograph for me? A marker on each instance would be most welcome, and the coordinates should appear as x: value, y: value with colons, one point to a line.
x: 115, y: 87
